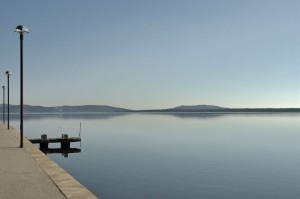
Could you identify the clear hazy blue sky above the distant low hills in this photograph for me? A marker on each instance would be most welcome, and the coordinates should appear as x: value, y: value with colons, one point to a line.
x: 153, y: 53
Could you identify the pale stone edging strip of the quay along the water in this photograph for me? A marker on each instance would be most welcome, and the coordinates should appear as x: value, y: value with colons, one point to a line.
x: 68, y: 185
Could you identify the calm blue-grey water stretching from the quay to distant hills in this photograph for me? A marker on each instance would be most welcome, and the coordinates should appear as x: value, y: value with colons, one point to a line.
x: 184, y: 155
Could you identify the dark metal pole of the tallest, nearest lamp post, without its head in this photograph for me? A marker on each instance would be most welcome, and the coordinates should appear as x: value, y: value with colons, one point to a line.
x: 21, y: 90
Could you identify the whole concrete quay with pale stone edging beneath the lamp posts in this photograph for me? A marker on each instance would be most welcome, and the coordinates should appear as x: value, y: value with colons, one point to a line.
x: 27, y: 173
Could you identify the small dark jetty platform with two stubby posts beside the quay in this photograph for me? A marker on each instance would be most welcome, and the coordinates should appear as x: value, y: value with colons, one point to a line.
x: 64, y: 141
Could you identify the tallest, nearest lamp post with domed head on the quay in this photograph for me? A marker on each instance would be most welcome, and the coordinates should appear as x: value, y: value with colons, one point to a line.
x: 21, y: 30
